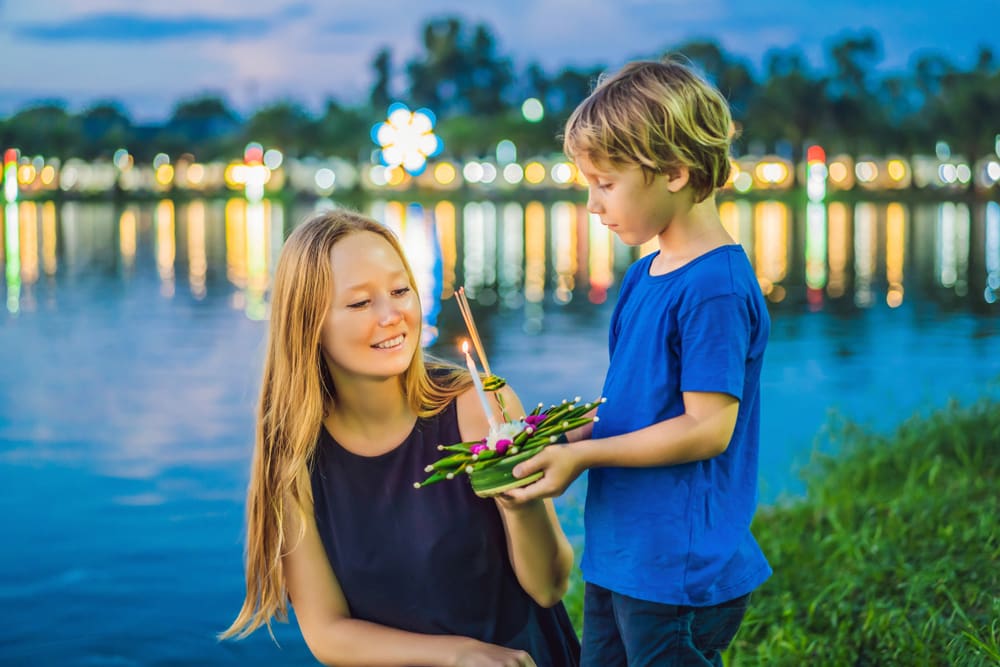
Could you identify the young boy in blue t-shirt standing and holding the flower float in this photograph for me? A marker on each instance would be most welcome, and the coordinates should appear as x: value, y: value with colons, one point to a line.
x: 668, y: 558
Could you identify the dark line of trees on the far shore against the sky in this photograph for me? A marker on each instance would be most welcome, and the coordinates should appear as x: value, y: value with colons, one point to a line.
x: 476, y: 93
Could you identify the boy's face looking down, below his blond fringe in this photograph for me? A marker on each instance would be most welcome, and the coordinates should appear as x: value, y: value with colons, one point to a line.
x: 628, y: 203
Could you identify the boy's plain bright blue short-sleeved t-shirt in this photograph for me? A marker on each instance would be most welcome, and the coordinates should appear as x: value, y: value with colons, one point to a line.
x: 680, y: 534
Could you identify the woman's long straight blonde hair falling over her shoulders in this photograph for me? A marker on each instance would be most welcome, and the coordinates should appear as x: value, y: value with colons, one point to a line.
x: 295, y: 394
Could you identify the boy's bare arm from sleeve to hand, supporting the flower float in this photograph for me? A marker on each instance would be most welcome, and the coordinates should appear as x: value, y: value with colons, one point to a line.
x: 703, y: 431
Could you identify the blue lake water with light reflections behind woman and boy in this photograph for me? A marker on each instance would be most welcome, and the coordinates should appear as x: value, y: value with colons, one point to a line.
x: 131, y: 340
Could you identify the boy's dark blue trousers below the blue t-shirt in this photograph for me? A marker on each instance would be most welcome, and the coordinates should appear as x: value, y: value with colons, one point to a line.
x: 621, y: 631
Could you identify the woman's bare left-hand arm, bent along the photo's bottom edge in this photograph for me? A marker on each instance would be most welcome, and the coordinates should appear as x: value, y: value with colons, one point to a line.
x: 337, y: 639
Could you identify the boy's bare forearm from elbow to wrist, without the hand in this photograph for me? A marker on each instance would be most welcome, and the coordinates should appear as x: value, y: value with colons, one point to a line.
x: 682, y: 439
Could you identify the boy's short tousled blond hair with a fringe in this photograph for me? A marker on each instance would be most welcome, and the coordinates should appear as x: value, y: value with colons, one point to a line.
x: 658, y: 115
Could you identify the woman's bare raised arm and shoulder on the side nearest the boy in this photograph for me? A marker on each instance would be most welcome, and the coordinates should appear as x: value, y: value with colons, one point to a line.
x: 539, y: 552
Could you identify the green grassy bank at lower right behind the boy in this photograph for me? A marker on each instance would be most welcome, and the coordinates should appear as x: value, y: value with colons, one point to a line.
x: 892, y: 557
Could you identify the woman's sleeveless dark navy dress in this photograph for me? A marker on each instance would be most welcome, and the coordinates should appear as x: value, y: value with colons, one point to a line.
x: 431, y: 560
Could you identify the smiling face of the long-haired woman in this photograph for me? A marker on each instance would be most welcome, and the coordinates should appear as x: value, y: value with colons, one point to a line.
x: 373, y: 327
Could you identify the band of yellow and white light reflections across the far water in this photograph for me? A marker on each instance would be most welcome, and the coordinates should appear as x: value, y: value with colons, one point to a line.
x: 533, y: 256
